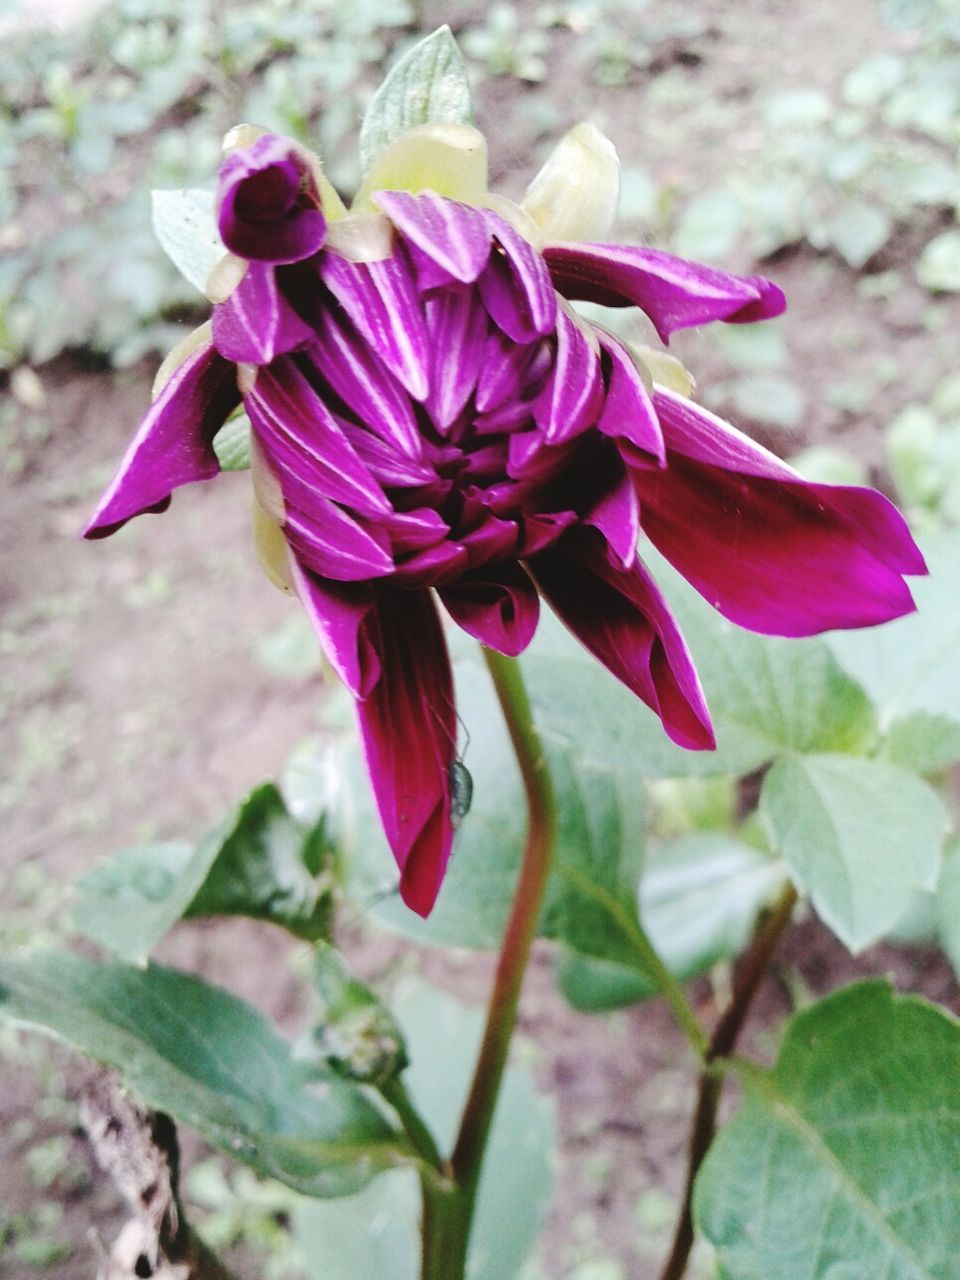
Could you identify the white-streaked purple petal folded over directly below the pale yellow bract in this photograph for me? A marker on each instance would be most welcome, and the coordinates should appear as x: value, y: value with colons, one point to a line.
x: 454, y: 237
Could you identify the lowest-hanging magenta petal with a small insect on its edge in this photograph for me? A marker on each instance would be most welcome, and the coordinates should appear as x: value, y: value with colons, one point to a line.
x: 409, y: 728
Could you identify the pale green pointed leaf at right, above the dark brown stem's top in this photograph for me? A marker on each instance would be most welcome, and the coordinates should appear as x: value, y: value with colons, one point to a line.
x: 860, y: 836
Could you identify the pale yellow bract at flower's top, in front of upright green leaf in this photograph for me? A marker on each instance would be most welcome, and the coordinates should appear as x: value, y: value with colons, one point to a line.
x: 450, y: 159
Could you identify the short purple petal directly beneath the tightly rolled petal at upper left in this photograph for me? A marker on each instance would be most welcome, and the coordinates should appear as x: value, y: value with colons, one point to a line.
x: 257, y: 323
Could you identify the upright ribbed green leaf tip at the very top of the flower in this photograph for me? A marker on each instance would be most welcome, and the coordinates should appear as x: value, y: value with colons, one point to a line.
x: 428, y: 86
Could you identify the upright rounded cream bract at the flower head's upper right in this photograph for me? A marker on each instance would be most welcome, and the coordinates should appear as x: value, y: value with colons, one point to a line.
x: 575, y: 196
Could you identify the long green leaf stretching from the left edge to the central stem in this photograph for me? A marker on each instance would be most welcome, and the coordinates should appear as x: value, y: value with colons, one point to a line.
x: 212, y: 1062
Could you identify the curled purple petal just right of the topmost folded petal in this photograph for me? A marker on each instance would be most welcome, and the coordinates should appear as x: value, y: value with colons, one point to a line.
x: 516, y: 287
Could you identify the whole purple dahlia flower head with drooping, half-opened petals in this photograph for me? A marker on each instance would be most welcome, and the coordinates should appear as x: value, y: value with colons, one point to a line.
x: 432, y: 420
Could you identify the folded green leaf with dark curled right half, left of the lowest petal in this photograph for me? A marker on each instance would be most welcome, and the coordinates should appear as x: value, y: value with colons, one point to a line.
x: 258, y: 863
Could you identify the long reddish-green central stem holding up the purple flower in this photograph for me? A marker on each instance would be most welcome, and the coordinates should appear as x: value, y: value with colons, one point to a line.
x: 449, y: 1215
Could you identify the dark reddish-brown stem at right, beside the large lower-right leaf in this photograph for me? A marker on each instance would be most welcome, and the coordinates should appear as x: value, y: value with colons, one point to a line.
x: 751, y: 972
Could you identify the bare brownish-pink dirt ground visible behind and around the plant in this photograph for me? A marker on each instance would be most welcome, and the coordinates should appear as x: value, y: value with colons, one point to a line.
x: 136, y: 703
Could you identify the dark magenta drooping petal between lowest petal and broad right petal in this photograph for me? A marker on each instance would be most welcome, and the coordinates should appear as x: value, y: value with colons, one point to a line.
x: 623, y: 619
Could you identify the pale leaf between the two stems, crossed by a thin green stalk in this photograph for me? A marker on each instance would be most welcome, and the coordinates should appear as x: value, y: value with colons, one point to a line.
x: 700, y: 899
